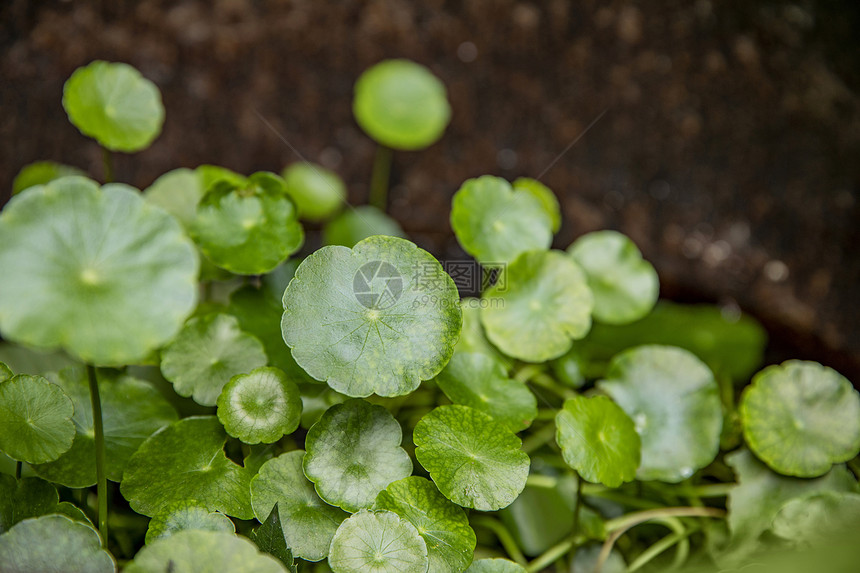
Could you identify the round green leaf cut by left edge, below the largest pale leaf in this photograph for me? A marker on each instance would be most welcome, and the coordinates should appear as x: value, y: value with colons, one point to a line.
x: 35, y: 419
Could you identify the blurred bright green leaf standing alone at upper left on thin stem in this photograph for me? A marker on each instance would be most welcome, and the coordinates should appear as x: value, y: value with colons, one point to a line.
x: 115, y: 105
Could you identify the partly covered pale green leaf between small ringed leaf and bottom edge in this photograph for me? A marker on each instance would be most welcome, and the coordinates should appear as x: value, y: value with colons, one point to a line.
x: 307, y: 521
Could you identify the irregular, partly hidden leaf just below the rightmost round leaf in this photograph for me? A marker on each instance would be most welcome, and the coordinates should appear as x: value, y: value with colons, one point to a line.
x: 761, y: 493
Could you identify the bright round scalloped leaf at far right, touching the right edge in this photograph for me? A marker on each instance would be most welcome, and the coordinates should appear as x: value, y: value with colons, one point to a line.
x: 800, y: 418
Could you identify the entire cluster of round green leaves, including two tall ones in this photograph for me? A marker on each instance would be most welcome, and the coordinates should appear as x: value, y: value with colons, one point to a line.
x: 266, y: 409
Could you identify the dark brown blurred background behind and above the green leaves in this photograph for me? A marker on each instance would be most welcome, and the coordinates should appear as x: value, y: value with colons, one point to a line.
x: 729, y: 149
